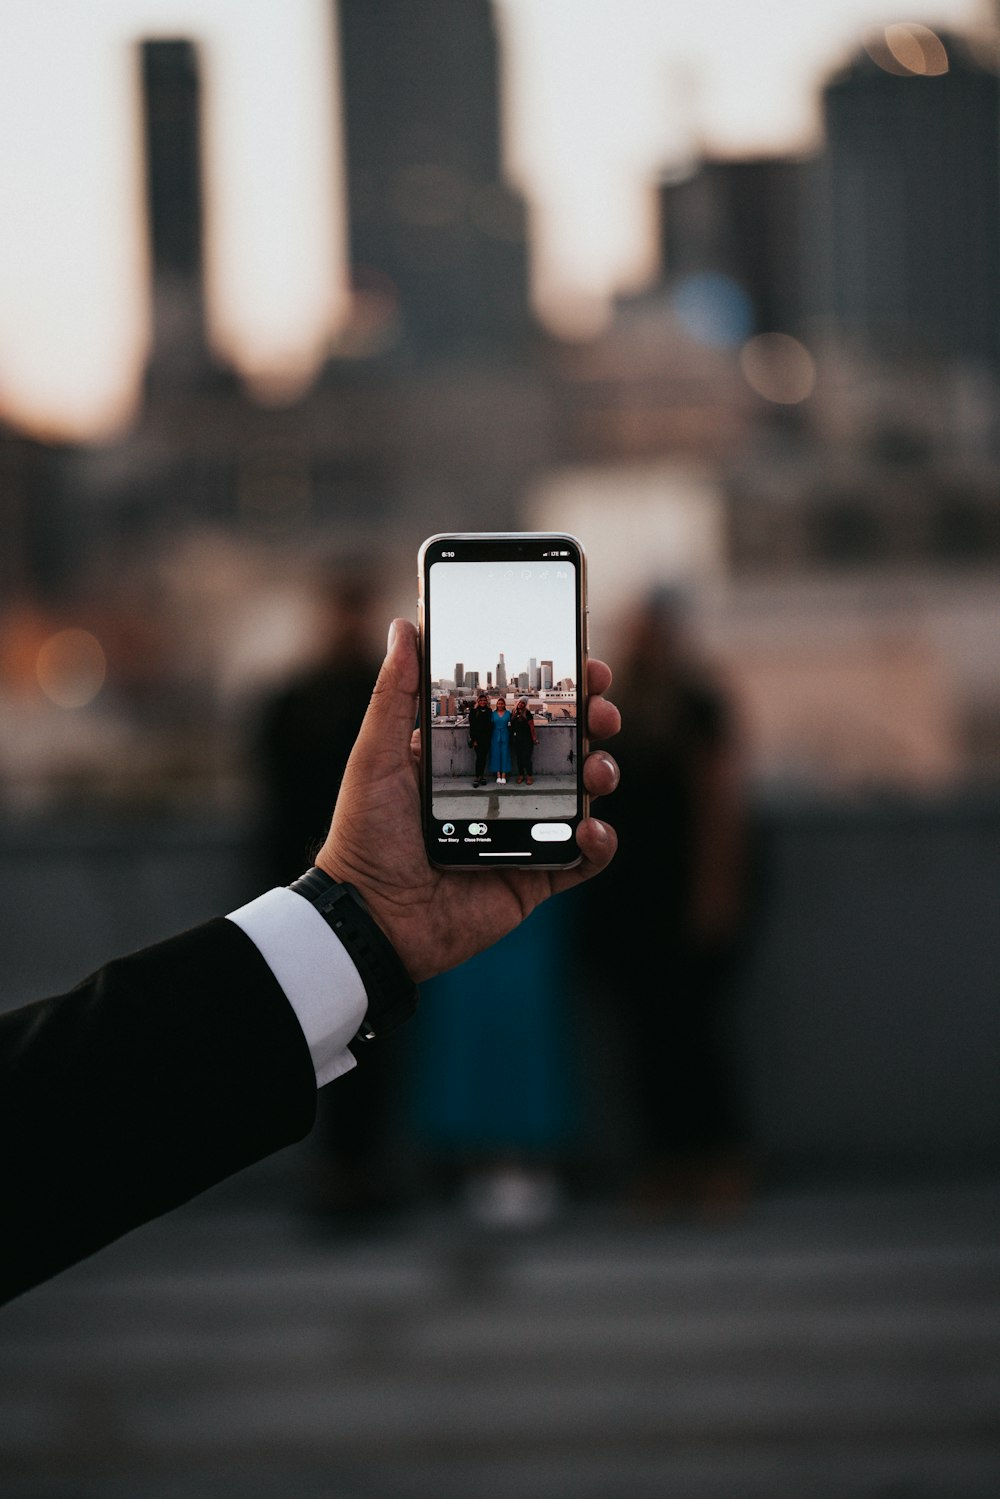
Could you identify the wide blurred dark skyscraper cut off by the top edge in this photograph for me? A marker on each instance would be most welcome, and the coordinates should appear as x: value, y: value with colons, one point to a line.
x: 433, y: 224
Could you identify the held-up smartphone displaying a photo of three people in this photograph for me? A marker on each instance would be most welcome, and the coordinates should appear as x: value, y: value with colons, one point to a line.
x: 503, y: 699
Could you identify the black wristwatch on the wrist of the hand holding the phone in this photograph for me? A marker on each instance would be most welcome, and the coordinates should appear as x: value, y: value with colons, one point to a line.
x: 392, y: 993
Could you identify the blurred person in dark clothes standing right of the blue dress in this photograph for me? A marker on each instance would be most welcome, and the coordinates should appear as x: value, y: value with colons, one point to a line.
x: 678, y: 903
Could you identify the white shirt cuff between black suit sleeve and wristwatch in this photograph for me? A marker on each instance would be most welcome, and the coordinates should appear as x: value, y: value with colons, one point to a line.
x: 316, y: 972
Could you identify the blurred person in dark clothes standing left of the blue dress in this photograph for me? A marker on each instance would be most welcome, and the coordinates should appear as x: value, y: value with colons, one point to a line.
x: 305, y: 735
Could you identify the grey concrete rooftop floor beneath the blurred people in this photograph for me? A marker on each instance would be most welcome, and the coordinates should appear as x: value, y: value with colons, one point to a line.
x: 830, y: 1341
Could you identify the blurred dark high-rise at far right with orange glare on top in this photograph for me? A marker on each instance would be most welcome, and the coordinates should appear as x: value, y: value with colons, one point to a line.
x: 908, y: 220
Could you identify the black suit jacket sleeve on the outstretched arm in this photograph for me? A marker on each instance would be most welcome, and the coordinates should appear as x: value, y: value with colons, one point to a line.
x: 152, y: 1080
